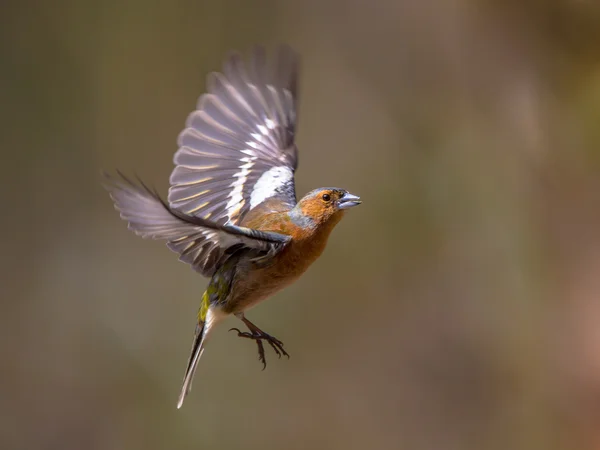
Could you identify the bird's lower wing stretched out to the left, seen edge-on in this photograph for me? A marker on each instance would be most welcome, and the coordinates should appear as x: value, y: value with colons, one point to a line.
x: 201, y: 243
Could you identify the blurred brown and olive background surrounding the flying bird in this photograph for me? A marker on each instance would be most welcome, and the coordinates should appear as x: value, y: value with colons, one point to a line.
x: 457, y: 308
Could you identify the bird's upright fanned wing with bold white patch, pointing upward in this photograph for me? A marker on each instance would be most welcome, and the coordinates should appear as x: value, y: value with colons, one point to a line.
x: 237, y: 149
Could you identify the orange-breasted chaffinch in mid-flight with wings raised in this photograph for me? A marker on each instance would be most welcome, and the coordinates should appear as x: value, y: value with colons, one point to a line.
x: 231, y: 211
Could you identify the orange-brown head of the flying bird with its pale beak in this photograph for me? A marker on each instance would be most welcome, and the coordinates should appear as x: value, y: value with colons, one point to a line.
x: 326, y: 205
